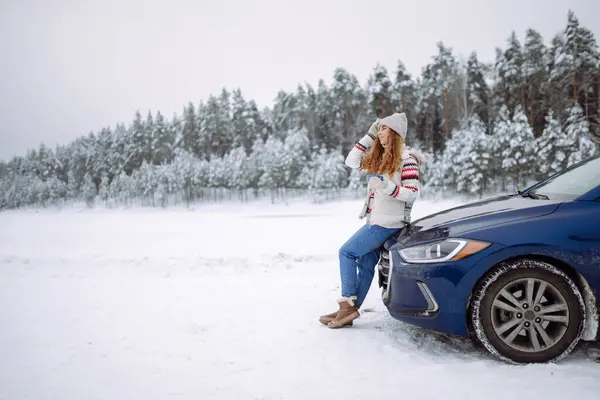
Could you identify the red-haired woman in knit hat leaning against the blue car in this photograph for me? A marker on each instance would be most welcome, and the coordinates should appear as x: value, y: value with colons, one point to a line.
x: 393, y: 186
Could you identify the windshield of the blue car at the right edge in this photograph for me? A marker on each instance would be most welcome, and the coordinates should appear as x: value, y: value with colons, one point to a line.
x: 573, y: 183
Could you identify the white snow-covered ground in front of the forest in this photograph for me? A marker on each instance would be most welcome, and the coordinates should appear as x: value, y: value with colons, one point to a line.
x: 222, y: 302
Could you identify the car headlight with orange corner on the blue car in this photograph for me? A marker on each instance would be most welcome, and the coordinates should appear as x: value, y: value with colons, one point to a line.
x: 447, y: 250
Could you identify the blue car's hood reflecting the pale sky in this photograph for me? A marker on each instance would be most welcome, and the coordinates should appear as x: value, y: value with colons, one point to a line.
x: 459, y: 220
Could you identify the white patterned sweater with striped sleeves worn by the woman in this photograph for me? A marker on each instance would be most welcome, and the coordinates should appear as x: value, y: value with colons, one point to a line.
x: 390, y: 206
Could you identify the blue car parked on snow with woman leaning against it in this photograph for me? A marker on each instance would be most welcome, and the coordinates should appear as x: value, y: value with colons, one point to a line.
x: 518, y: 273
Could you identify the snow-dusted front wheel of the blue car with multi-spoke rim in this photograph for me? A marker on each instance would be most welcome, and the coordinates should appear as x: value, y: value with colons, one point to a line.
x: 516, y: 331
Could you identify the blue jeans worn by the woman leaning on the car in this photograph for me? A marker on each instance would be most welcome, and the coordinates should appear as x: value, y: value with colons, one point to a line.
x: 361, y: 252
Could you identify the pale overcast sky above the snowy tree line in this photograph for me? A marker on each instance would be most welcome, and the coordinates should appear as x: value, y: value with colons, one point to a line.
x: 71, y: 67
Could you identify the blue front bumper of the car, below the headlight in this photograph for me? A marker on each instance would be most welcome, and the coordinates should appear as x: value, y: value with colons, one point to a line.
x: 434, y: 296
